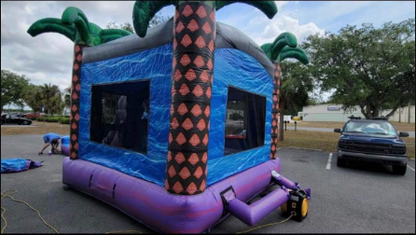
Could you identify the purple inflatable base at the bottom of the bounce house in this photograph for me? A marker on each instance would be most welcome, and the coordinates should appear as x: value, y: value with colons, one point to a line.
x: 163, y: 212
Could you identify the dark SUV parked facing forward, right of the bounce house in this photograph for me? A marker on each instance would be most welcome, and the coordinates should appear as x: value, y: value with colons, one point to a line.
x: 373, y: 141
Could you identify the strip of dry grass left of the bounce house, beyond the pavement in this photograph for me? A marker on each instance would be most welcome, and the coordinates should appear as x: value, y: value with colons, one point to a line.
x: 37, y: 128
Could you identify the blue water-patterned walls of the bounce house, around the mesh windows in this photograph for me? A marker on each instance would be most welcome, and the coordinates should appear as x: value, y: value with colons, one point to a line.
x: 233, y: 68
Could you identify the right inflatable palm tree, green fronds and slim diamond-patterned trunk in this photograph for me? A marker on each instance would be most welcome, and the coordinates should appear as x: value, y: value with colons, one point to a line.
x: 283, y: 47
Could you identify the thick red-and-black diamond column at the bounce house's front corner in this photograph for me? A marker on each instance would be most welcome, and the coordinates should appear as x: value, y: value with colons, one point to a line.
x: 192, y: 76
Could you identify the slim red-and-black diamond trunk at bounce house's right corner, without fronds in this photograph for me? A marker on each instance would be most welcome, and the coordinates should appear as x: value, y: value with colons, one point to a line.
x: 275, y: 112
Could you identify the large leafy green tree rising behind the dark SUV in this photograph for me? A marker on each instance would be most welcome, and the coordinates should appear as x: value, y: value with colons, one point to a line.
x: 369, y: 67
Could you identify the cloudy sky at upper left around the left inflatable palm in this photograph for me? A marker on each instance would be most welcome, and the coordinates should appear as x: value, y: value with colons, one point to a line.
x: 48, y: 57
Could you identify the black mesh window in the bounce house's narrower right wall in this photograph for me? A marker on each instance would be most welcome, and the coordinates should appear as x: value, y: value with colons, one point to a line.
x: 245, y: 121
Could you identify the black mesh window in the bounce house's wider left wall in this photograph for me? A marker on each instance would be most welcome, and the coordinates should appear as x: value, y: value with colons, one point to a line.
x: 119, y: 115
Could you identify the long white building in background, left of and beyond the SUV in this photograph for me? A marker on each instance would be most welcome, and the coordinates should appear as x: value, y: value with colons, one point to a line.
x: 328, y: 113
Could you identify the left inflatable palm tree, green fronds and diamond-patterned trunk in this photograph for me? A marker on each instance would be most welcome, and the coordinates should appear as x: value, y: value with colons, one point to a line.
x: 75, y: 26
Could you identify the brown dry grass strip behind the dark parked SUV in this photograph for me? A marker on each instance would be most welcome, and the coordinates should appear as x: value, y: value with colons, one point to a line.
x: 324, y: 141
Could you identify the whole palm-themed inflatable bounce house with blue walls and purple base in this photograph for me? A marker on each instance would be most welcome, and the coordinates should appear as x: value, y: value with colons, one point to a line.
x: 177, y: 126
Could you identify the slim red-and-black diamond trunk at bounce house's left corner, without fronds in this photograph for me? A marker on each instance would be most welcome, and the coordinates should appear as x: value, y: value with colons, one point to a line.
x: 75, y: 101
